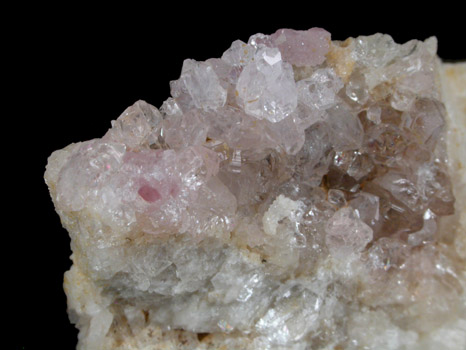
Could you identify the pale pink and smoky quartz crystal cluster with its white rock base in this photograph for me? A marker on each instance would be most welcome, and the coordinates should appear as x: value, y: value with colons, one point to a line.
x: 288, y: 195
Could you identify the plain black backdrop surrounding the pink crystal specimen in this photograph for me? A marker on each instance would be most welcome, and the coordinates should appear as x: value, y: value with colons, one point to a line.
x: 76, y: 69
